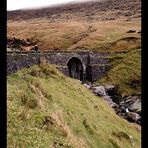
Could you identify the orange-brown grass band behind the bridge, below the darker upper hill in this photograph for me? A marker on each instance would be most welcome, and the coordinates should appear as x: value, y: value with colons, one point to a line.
x: 78, y: 35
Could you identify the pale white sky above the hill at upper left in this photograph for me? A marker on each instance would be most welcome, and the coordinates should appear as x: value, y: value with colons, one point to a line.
x: 23, y: 4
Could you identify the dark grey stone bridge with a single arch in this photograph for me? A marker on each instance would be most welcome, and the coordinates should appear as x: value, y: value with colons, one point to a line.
x: 80, y: 65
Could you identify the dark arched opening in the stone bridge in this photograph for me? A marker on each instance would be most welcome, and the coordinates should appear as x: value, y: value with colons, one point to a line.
x: 75, y: 68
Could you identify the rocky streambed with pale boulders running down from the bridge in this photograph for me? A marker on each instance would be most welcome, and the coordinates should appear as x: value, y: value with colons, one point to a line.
x: 128, y: 107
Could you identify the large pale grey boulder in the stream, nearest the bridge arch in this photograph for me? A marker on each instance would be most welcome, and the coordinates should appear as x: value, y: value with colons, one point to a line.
x: 100, y: 91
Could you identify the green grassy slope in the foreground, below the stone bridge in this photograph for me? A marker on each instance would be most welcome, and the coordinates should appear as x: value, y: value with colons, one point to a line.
x: 47, y: 109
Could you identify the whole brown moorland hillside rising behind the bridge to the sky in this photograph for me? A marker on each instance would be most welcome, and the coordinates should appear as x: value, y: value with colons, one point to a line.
x: 99, y: 26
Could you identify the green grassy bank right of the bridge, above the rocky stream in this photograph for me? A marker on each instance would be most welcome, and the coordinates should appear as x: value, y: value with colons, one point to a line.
x: 126, y: 73
